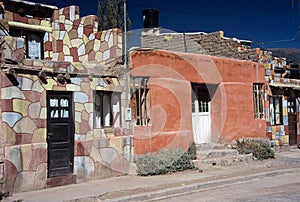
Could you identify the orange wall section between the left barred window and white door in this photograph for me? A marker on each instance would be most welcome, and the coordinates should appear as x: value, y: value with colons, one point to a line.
x: 170, y: 123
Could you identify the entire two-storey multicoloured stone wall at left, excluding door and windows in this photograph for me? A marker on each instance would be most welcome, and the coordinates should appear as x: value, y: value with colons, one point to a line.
x: 71, y: 45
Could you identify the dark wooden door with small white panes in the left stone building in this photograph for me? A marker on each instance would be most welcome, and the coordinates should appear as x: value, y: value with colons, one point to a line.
x: 60, y: 133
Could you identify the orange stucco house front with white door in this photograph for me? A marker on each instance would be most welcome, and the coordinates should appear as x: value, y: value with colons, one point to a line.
x: 182, y: 97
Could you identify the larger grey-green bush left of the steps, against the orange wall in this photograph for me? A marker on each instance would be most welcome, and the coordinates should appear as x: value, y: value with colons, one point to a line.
x: 164, y: 161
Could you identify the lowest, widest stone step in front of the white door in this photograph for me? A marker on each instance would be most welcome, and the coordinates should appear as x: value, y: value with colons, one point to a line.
x: 223, y: 161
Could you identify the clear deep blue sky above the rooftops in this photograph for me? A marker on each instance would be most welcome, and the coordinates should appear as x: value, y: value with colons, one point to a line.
x: 270, y: 23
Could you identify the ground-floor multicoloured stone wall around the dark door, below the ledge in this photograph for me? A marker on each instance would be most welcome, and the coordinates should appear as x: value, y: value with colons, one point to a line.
x: 98, y: 152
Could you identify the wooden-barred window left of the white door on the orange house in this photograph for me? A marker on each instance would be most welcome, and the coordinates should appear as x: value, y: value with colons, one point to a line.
x: 140, y: 100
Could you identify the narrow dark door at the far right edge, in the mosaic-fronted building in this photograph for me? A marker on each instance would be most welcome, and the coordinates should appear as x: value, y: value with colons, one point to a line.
x: 292, y: 118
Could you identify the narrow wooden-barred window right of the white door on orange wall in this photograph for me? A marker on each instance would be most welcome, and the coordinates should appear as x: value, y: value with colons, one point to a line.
x: 258, y: 100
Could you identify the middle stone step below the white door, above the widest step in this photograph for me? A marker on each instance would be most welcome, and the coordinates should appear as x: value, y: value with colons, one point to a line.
x: 216, y: 153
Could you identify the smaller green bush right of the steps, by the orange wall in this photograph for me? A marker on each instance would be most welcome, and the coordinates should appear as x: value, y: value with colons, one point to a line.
x: 259, y: 147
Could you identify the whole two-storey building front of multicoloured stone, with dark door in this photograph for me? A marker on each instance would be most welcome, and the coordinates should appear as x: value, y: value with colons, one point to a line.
x: 62, y: 98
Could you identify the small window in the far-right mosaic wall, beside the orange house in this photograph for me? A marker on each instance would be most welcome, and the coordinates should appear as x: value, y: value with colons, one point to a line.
x: 276, y: 110
